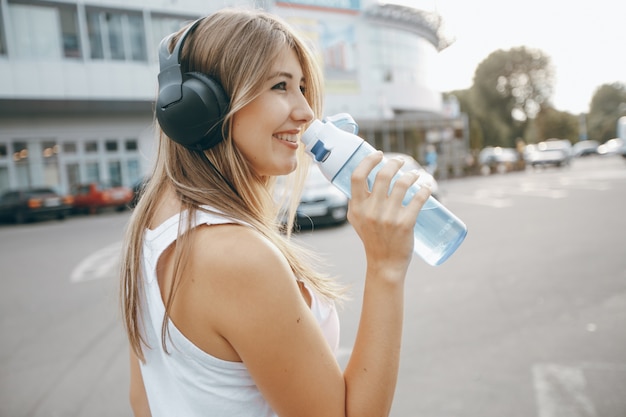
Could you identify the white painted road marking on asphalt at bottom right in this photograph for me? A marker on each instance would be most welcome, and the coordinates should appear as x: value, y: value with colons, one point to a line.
x: 560, y: 391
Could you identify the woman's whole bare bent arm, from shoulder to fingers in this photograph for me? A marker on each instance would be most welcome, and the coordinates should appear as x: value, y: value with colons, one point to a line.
x: 240, y: 301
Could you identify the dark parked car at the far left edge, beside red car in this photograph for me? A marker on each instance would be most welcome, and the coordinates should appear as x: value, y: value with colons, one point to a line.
x: 24, y: 205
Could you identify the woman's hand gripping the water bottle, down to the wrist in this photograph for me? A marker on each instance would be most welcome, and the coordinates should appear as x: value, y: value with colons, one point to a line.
x: 384, y: 225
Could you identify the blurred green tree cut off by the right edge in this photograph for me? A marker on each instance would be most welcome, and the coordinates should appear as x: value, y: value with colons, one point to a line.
x: 608, y: 104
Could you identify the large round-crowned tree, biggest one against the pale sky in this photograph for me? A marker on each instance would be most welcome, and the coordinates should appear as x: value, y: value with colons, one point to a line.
x: 510, y: 88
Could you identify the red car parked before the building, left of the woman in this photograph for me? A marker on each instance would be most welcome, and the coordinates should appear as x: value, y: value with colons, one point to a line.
x: 93, y: 197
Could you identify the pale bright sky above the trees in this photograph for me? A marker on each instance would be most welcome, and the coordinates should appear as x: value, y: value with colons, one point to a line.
x: 585, y: 40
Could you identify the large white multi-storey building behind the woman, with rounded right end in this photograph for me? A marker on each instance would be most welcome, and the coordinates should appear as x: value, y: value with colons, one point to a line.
x: 78, y: 81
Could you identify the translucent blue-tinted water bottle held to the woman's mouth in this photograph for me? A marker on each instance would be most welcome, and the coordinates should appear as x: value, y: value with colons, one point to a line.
x: 337, y: 150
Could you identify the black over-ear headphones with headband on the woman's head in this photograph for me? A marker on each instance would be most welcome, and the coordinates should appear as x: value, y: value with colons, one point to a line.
x: 191, y: 106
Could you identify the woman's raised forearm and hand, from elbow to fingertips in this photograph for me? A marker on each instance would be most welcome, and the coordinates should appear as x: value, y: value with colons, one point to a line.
x: 386, y: 229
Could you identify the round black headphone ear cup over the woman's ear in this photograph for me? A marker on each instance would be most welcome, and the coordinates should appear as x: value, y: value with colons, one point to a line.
x: 194, y: 121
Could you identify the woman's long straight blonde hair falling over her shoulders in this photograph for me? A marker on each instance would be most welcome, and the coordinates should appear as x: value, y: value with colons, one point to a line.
x: 238, y: 48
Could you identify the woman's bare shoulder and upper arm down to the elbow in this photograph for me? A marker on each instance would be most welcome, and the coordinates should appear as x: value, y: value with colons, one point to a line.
x: 243, y: 303
